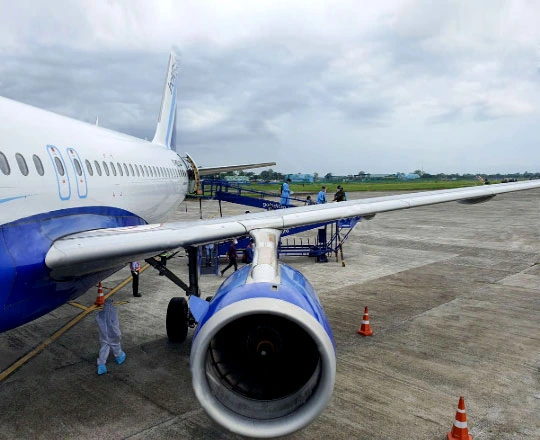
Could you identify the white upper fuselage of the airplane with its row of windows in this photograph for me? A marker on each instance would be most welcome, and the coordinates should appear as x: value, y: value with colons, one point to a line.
x: 155, y: 183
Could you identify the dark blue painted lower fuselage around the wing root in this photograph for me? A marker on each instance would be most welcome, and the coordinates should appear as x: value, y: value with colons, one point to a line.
x: 27, y: 288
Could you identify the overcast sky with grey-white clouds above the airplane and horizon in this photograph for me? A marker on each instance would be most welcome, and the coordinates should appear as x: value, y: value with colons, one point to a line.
x: 338, y: 86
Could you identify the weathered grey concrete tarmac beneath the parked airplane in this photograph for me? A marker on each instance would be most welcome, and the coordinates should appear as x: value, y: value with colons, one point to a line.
x: 454, y: 299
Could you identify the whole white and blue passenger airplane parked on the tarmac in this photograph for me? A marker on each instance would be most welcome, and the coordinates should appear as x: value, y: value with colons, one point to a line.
x: 79, y: 202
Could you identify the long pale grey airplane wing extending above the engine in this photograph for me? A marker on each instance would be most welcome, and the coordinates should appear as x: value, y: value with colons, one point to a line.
x: 103, y: 249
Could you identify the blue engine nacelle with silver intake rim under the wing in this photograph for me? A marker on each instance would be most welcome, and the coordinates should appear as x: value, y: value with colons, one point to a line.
x: 263, y: 358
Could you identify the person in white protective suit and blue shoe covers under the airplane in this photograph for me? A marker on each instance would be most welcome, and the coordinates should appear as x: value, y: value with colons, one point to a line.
x: 109, y: 336
